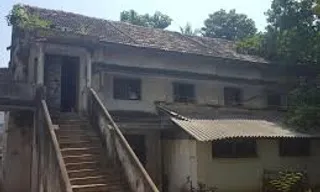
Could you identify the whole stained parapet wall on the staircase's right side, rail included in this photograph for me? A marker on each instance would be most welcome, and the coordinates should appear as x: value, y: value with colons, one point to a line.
x: 117, y: 148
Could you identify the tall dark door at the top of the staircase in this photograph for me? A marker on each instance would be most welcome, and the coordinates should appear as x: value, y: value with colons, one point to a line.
x: 69, y: 82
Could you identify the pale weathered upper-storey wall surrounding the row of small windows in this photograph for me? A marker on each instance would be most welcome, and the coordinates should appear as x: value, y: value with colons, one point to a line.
x: 155, y: 88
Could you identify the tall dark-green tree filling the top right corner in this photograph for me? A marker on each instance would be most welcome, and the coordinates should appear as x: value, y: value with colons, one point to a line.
x: 293, y: 31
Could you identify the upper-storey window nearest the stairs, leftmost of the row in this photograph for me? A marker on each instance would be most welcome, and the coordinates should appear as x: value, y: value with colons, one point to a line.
x: 126, y: 89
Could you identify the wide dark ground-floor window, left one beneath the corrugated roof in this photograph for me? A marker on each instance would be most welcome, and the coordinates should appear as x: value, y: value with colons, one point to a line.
x: 239, y: 148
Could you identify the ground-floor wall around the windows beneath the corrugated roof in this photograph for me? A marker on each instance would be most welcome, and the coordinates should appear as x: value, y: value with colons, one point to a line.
x: 245, y: 174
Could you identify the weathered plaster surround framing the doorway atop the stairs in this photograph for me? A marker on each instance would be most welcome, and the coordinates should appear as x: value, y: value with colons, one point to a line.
x: 37, y: 66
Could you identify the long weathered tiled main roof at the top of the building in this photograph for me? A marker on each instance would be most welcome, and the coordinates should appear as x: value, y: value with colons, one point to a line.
x: 132, y: 35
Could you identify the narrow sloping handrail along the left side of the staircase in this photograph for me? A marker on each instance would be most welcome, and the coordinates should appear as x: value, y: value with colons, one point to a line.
x: 54, y: 140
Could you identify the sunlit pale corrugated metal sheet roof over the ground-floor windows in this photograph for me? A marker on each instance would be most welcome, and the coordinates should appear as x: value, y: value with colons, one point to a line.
x: 209, y: 130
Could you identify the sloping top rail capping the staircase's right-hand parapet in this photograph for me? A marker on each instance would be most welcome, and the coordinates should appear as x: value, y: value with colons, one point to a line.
x: 125, y: 142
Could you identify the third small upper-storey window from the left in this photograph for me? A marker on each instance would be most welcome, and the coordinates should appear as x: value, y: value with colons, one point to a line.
x: 232, y: 96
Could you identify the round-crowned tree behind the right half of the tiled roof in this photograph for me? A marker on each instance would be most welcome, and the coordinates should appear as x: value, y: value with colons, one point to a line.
x: 229, y: 25
